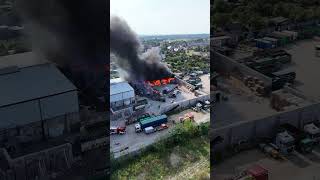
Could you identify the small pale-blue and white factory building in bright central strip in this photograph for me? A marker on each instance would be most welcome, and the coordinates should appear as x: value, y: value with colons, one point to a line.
x: 122, y: 99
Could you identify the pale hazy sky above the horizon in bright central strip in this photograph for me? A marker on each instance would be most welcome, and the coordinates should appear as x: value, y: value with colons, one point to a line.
x: 153, y: 17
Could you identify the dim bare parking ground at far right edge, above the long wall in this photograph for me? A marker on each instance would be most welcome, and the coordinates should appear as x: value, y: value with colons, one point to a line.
x: 306, y: 65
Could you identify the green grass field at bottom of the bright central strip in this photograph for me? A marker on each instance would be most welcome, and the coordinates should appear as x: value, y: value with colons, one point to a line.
x: 187, y: 158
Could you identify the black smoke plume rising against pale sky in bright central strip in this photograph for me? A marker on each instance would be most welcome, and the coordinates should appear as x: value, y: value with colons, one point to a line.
x: 125, y: 44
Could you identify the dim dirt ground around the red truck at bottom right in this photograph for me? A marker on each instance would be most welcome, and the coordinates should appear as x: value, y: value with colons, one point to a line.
x: 296, y: 167
